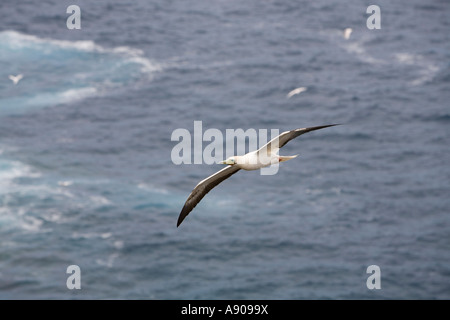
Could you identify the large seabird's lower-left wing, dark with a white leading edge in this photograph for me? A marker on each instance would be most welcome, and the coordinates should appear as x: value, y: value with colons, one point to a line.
x: 203, y: 187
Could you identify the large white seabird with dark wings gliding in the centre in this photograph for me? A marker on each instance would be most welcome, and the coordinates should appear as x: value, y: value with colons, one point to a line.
x: 263, y: 157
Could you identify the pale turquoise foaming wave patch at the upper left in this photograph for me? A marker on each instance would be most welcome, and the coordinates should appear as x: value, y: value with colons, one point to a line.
x: 62, y: 72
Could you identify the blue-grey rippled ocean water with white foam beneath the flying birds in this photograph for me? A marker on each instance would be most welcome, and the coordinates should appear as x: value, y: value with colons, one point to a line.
x: 87, y: 179
